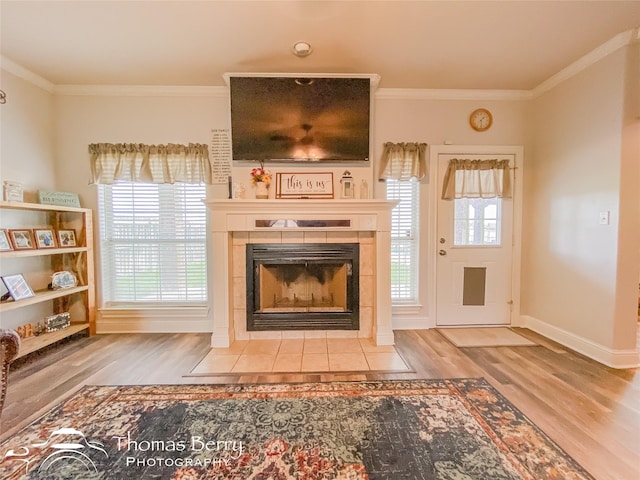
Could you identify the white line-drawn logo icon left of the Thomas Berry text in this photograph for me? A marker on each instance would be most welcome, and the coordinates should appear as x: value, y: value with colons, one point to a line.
x: 64, y: 447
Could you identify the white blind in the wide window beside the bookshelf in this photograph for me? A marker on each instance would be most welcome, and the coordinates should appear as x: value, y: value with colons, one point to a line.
x: 153, y: 243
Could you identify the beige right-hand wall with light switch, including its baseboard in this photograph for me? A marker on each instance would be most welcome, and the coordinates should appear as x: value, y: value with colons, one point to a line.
x: 572, y: 263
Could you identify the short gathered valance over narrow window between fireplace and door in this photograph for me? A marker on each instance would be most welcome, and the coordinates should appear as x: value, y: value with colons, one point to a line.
x: 403, y: 161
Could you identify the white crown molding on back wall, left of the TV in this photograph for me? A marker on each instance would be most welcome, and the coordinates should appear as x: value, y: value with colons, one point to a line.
x: 140, y: 91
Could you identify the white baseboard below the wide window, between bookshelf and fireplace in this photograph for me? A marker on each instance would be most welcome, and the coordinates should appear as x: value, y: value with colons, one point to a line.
x: 154, y: 320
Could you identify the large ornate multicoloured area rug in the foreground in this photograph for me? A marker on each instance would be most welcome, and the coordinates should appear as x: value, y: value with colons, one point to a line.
x: 418, y: 429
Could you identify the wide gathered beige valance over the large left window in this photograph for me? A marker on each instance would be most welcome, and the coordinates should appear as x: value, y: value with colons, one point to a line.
x: 136, y: 162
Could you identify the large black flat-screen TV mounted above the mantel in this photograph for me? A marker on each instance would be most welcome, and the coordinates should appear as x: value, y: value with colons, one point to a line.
x: 300, y: 118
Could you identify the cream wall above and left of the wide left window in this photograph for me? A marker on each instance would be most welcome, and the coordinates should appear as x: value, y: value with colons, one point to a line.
x: 154, y: 119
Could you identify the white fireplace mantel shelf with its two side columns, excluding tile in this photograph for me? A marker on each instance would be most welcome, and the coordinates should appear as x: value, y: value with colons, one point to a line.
x: 255, y: 216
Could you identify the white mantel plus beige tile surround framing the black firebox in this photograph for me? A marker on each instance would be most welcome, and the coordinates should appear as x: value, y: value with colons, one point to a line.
x: 233, y: 224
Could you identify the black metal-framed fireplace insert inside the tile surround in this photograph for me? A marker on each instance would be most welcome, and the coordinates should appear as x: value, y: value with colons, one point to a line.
x: 302, y: 286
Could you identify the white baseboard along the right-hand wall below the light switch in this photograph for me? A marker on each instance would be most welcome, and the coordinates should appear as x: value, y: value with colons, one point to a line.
x: 600, y: 353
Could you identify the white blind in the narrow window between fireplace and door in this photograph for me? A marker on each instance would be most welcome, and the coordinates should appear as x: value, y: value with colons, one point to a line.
x: 404, y: 240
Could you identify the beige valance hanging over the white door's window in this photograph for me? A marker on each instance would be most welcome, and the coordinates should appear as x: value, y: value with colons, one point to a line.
x: 476, y: 179
